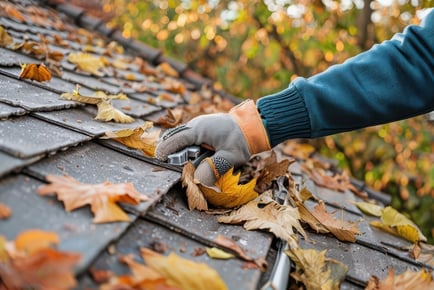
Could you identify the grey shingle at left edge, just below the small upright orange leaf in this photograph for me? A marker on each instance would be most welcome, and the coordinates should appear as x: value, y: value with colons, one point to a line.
x: 29, y: 97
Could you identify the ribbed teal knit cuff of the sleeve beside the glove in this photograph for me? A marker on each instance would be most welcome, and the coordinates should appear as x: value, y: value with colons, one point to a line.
x: 284, y: 115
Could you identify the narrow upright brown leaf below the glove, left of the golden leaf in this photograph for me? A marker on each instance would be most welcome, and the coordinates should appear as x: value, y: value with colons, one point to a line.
x: 195, y: 197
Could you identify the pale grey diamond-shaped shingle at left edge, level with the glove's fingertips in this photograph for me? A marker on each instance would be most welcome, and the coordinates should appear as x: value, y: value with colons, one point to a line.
x: 25, y: 137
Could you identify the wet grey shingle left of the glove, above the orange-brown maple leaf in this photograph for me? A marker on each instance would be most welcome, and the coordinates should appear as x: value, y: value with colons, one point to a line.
x: 93, y: 163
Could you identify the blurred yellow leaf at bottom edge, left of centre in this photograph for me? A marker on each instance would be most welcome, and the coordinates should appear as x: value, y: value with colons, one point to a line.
x: 183, y: 273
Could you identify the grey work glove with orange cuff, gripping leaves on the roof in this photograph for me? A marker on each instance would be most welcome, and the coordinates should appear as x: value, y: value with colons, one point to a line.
x: 235, y: 136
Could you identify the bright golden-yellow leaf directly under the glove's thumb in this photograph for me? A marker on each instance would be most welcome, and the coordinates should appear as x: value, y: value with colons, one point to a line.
x: 229, y: 193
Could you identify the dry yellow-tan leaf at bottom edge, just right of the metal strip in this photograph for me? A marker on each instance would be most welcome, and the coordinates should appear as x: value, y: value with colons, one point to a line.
x: 315, y: 271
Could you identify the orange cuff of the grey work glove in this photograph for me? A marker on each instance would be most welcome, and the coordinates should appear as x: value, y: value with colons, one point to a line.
x: 247, y: 117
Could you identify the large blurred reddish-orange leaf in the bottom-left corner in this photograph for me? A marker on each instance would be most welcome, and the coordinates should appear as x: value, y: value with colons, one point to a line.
x: 44, y: 269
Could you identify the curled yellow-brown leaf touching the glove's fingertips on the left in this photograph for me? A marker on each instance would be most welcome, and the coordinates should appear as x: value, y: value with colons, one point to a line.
x: 137, y: 138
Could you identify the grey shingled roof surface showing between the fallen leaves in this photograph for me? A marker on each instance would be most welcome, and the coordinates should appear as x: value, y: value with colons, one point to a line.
x: 42, y: 134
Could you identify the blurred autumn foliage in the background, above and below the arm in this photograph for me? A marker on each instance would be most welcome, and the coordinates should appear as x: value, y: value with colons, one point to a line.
x: 252, y: 48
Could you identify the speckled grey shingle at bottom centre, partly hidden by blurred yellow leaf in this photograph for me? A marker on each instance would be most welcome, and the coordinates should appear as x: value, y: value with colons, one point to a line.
x: 145, y: 234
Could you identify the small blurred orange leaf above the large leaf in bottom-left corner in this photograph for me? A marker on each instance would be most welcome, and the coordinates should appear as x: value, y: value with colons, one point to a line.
x: 32, y: 241
